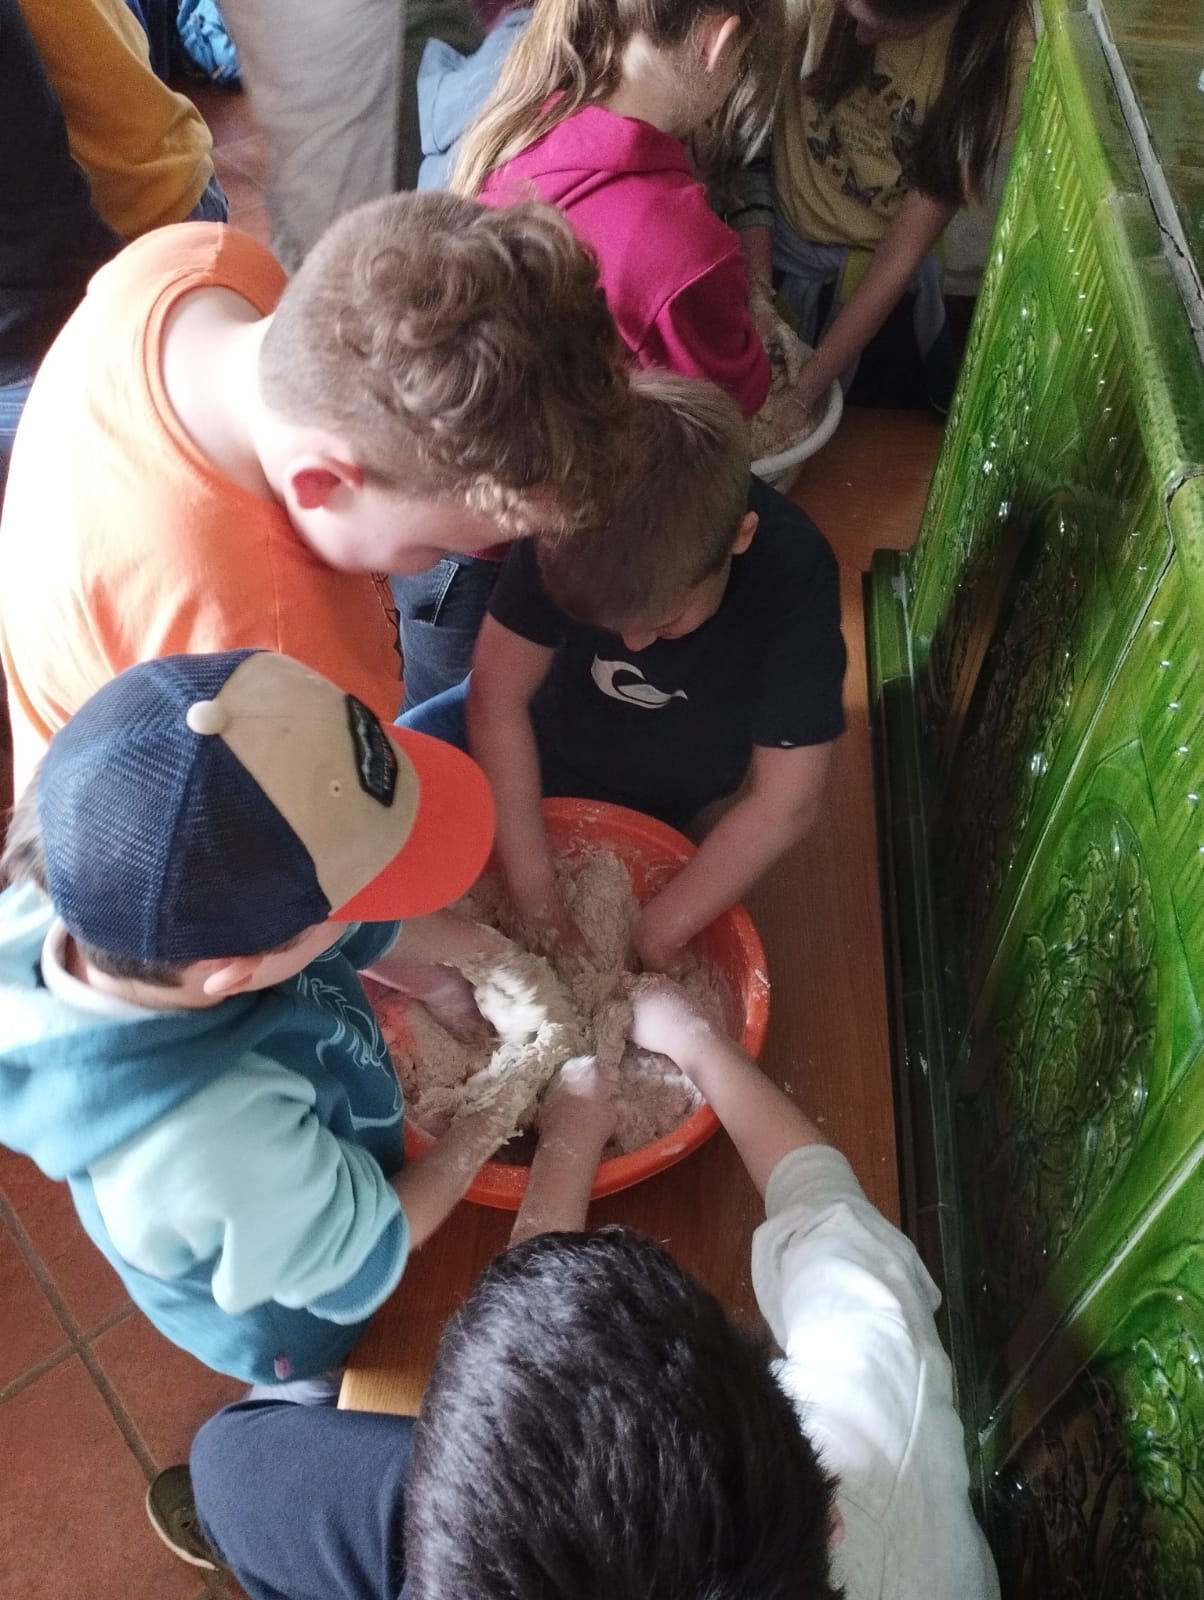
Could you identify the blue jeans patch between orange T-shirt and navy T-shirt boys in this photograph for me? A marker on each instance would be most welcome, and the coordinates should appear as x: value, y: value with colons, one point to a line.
x: 439, y: 614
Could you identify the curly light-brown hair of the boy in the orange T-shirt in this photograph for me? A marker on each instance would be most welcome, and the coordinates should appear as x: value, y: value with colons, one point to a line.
x: 462, y: 353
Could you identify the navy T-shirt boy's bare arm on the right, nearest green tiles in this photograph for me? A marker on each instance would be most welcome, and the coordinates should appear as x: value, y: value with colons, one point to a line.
x: 776, y: 809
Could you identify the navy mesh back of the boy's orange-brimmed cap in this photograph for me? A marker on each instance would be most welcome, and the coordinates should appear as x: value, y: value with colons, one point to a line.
x: 159, y: 846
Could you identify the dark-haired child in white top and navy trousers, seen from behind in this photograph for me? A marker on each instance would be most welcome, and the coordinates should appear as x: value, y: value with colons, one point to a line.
x: 668, y: 1457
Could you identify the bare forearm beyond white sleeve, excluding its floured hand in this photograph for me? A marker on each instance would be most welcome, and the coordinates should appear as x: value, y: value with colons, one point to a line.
x: 760, y: 1119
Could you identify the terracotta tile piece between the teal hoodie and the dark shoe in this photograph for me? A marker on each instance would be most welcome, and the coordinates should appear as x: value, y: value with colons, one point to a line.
x: 166, y: 1393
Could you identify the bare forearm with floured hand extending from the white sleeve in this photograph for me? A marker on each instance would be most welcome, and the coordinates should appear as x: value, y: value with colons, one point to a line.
x: 761, y: 1121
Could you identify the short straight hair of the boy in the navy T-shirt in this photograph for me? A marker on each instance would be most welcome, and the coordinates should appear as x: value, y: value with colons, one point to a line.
x: 676, y: 513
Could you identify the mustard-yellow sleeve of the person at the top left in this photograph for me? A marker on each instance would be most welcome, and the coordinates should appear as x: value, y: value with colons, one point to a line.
x: 146, y: 150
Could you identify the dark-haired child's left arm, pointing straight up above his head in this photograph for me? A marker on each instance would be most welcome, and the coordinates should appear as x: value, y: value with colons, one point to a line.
x: 577, y: 1118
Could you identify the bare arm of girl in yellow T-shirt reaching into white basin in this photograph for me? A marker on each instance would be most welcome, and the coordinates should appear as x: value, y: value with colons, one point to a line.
x: 910, y: 236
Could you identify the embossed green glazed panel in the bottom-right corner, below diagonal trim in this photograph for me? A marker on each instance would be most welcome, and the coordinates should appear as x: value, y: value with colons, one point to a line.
x: 1104, y: 1497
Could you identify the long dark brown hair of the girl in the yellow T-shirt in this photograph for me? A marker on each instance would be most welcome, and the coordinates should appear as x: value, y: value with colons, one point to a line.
x: 963, y: 129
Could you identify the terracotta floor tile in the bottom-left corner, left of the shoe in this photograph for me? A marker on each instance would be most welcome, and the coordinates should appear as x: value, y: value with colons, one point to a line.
x: 71, y: 1510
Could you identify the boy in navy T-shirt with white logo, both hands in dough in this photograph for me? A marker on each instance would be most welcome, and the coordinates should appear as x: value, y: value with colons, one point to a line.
x: 686, y: 662
